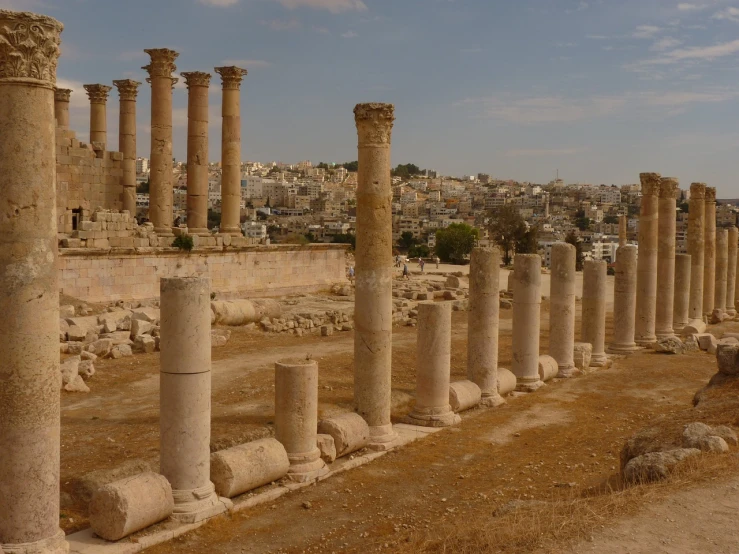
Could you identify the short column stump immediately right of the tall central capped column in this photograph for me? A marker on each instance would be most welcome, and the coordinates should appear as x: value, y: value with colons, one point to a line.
x: 433, y: 366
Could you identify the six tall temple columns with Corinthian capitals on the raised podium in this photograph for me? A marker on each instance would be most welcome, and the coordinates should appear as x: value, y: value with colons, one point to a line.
x: 160, y: 69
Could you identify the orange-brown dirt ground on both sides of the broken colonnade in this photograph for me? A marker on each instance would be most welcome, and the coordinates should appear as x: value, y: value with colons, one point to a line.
x: 539, y: 472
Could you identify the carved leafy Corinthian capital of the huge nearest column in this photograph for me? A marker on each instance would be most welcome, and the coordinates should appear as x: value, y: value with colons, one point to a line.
x: 29, y: 47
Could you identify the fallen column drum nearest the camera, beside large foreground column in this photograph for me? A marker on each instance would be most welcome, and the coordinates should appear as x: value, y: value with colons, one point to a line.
x: 129, y: 505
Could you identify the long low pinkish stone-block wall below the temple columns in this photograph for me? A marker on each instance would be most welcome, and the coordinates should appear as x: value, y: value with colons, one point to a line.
x: 128, y: 274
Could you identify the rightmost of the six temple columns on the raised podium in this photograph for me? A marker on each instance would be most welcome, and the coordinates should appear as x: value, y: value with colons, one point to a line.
x: 231, y: 150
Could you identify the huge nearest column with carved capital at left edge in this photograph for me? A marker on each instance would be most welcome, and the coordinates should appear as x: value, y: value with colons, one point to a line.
x: 29, y: 372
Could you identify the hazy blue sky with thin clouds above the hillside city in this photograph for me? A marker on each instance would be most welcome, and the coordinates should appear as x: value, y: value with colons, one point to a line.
x: 599, y: 89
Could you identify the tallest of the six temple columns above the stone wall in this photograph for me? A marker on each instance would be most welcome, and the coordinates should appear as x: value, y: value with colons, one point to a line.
x: 161, y: 193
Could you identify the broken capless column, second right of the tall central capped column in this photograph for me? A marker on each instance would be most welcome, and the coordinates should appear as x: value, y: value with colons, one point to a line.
x: 483, y: 322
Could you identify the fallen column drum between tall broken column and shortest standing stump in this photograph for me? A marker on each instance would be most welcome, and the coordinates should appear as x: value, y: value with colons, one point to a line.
x: 247, y: 466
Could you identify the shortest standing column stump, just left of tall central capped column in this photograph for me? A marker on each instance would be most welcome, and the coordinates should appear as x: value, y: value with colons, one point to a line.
x: 296, y: 417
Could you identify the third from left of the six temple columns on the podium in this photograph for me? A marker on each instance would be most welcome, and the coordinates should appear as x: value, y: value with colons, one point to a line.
x: 127, y: 90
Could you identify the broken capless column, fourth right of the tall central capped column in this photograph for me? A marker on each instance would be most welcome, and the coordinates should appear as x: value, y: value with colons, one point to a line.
x: 562, y: 308
